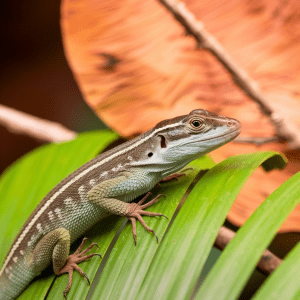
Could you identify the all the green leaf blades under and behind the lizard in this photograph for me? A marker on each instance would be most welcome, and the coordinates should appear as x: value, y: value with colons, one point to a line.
x: 170, y: 269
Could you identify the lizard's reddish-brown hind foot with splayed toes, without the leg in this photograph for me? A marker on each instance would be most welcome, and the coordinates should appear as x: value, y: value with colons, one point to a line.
x: 72, y: 262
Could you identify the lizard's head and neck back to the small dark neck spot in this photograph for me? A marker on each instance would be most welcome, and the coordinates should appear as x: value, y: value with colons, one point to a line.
x: 173, y: 143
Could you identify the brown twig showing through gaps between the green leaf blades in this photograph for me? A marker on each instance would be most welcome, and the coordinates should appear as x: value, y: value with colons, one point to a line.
x: 268, y: 261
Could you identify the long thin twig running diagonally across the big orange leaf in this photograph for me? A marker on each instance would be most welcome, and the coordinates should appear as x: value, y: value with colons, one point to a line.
x: 283, y: 127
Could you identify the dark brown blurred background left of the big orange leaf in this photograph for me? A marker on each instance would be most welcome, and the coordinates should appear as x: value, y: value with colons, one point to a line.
x: 35, y: 77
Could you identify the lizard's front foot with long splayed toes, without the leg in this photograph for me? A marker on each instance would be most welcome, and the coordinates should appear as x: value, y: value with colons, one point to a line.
x: 135, y: 211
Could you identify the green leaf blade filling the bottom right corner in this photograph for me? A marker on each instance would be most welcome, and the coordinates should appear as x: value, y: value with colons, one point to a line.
x: 284, y: 282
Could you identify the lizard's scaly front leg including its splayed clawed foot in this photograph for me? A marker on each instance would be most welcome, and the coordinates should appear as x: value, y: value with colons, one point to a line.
x: 106, y: 193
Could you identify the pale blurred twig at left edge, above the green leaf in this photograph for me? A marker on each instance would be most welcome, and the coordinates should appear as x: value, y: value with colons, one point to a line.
x: 40, y: 129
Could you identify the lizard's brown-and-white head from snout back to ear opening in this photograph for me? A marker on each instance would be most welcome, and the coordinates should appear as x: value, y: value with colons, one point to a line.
x: 190, y: 136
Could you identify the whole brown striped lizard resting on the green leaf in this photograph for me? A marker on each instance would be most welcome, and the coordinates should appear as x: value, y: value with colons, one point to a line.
x: 107, y: 185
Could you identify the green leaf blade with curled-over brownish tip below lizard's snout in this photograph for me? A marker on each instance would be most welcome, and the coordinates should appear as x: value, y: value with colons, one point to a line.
x: 181, y: 255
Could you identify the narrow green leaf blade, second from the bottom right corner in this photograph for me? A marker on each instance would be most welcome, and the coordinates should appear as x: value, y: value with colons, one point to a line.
x: 233, y: 268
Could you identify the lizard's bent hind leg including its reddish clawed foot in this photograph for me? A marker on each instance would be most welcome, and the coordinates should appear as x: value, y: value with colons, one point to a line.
x: 55, y: 246
